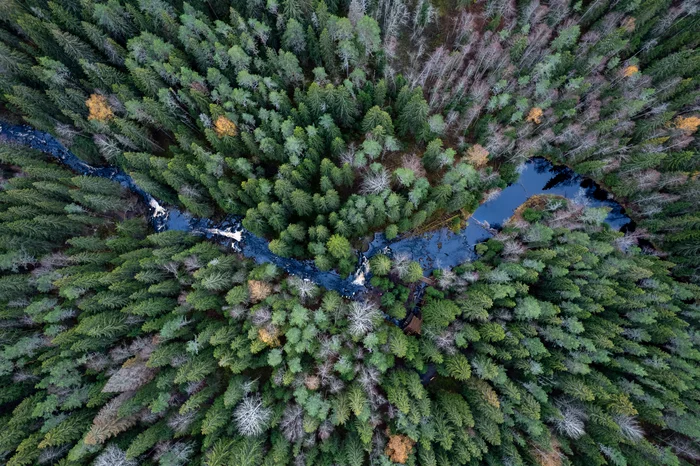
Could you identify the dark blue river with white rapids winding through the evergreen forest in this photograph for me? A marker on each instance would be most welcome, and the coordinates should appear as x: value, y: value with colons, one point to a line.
x: 438, y: 249
